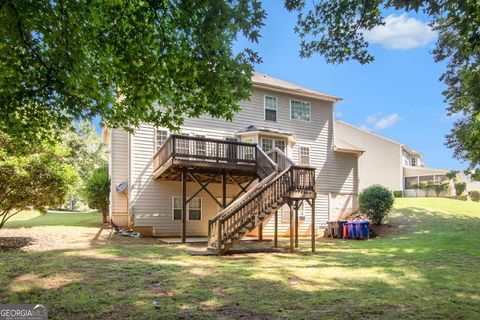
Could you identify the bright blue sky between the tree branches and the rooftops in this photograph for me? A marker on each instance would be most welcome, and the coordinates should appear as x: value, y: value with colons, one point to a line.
x: 397, y: 96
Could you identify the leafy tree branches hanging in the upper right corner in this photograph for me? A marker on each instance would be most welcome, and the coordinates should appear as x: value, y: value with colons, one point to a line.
x: 336, y: 28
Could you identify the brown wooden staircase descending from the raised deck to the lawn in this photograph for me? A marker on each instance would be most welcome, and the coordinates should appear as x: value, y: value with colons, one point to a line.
x: 280, y: 179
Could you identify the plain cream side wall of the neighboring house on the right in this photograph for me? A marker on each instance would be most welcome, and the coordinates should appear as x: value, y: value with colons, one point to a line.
x: 382, y: 161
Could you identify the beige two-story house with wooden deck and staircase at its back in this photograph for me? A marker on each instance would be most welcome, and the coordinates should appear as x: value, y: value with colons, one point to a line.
x: 216, y: 174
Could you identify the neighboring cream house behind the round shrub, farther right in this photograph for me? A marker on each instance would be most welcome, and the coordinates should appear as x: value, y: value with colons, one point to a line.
x: 388, y: 162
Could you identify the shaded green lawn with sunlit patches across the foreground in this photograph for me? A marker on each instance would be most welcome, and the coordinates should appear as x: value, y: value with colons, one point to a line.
x: 427, y: 266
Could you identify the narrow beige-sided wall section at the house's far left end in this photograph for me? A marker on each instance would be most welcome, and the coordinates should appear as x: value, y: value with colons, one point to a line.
x: 119, y: 174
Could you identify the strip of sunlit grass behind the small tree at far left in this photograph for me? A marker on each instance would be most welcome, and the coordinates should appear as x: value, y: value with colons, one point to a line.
x: 29, y: 219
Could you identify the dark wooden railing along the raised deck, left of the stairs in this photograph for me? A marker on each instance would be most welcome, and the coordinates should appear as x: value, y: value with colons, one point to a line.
x: 205, y: 150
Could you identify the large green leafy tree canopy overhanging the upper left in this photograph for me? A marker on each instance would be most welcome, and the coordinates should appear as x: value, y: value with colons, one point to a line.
x: 72, y: 60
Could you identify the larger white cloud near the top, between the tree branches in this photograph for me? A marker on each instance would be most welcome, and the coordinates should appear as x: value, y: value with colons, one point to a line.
x: 401, y: 33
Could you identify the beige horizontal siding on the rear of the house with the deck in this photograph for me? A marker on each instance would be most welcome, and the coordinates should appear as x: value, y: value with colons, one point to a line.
x: 151, y: 201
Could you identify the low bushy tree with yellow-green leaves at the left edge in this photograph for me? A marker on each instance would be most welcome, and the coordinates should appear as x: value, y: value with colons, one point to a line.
x: 34, y: 181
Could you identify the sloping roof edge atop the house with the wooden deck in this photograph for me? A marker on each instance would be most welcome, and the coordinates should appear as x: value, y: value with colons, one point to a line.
x: 261, y: 80
